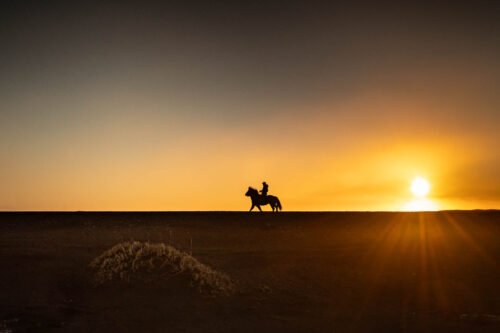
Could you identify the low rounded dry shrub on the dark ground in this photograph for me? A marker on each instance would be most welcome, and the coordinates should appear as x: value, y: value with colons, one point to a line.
x: 159, y: 264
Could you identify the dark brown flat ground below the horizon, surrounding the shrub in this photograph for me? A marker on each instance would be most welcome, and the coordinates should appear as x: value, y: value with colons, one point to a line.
x: 296, y: 272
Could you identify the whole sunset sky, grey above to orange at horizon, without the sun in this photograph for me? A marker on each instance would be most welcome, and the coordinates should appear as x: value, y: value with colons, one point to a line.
x: 182, y: 106
